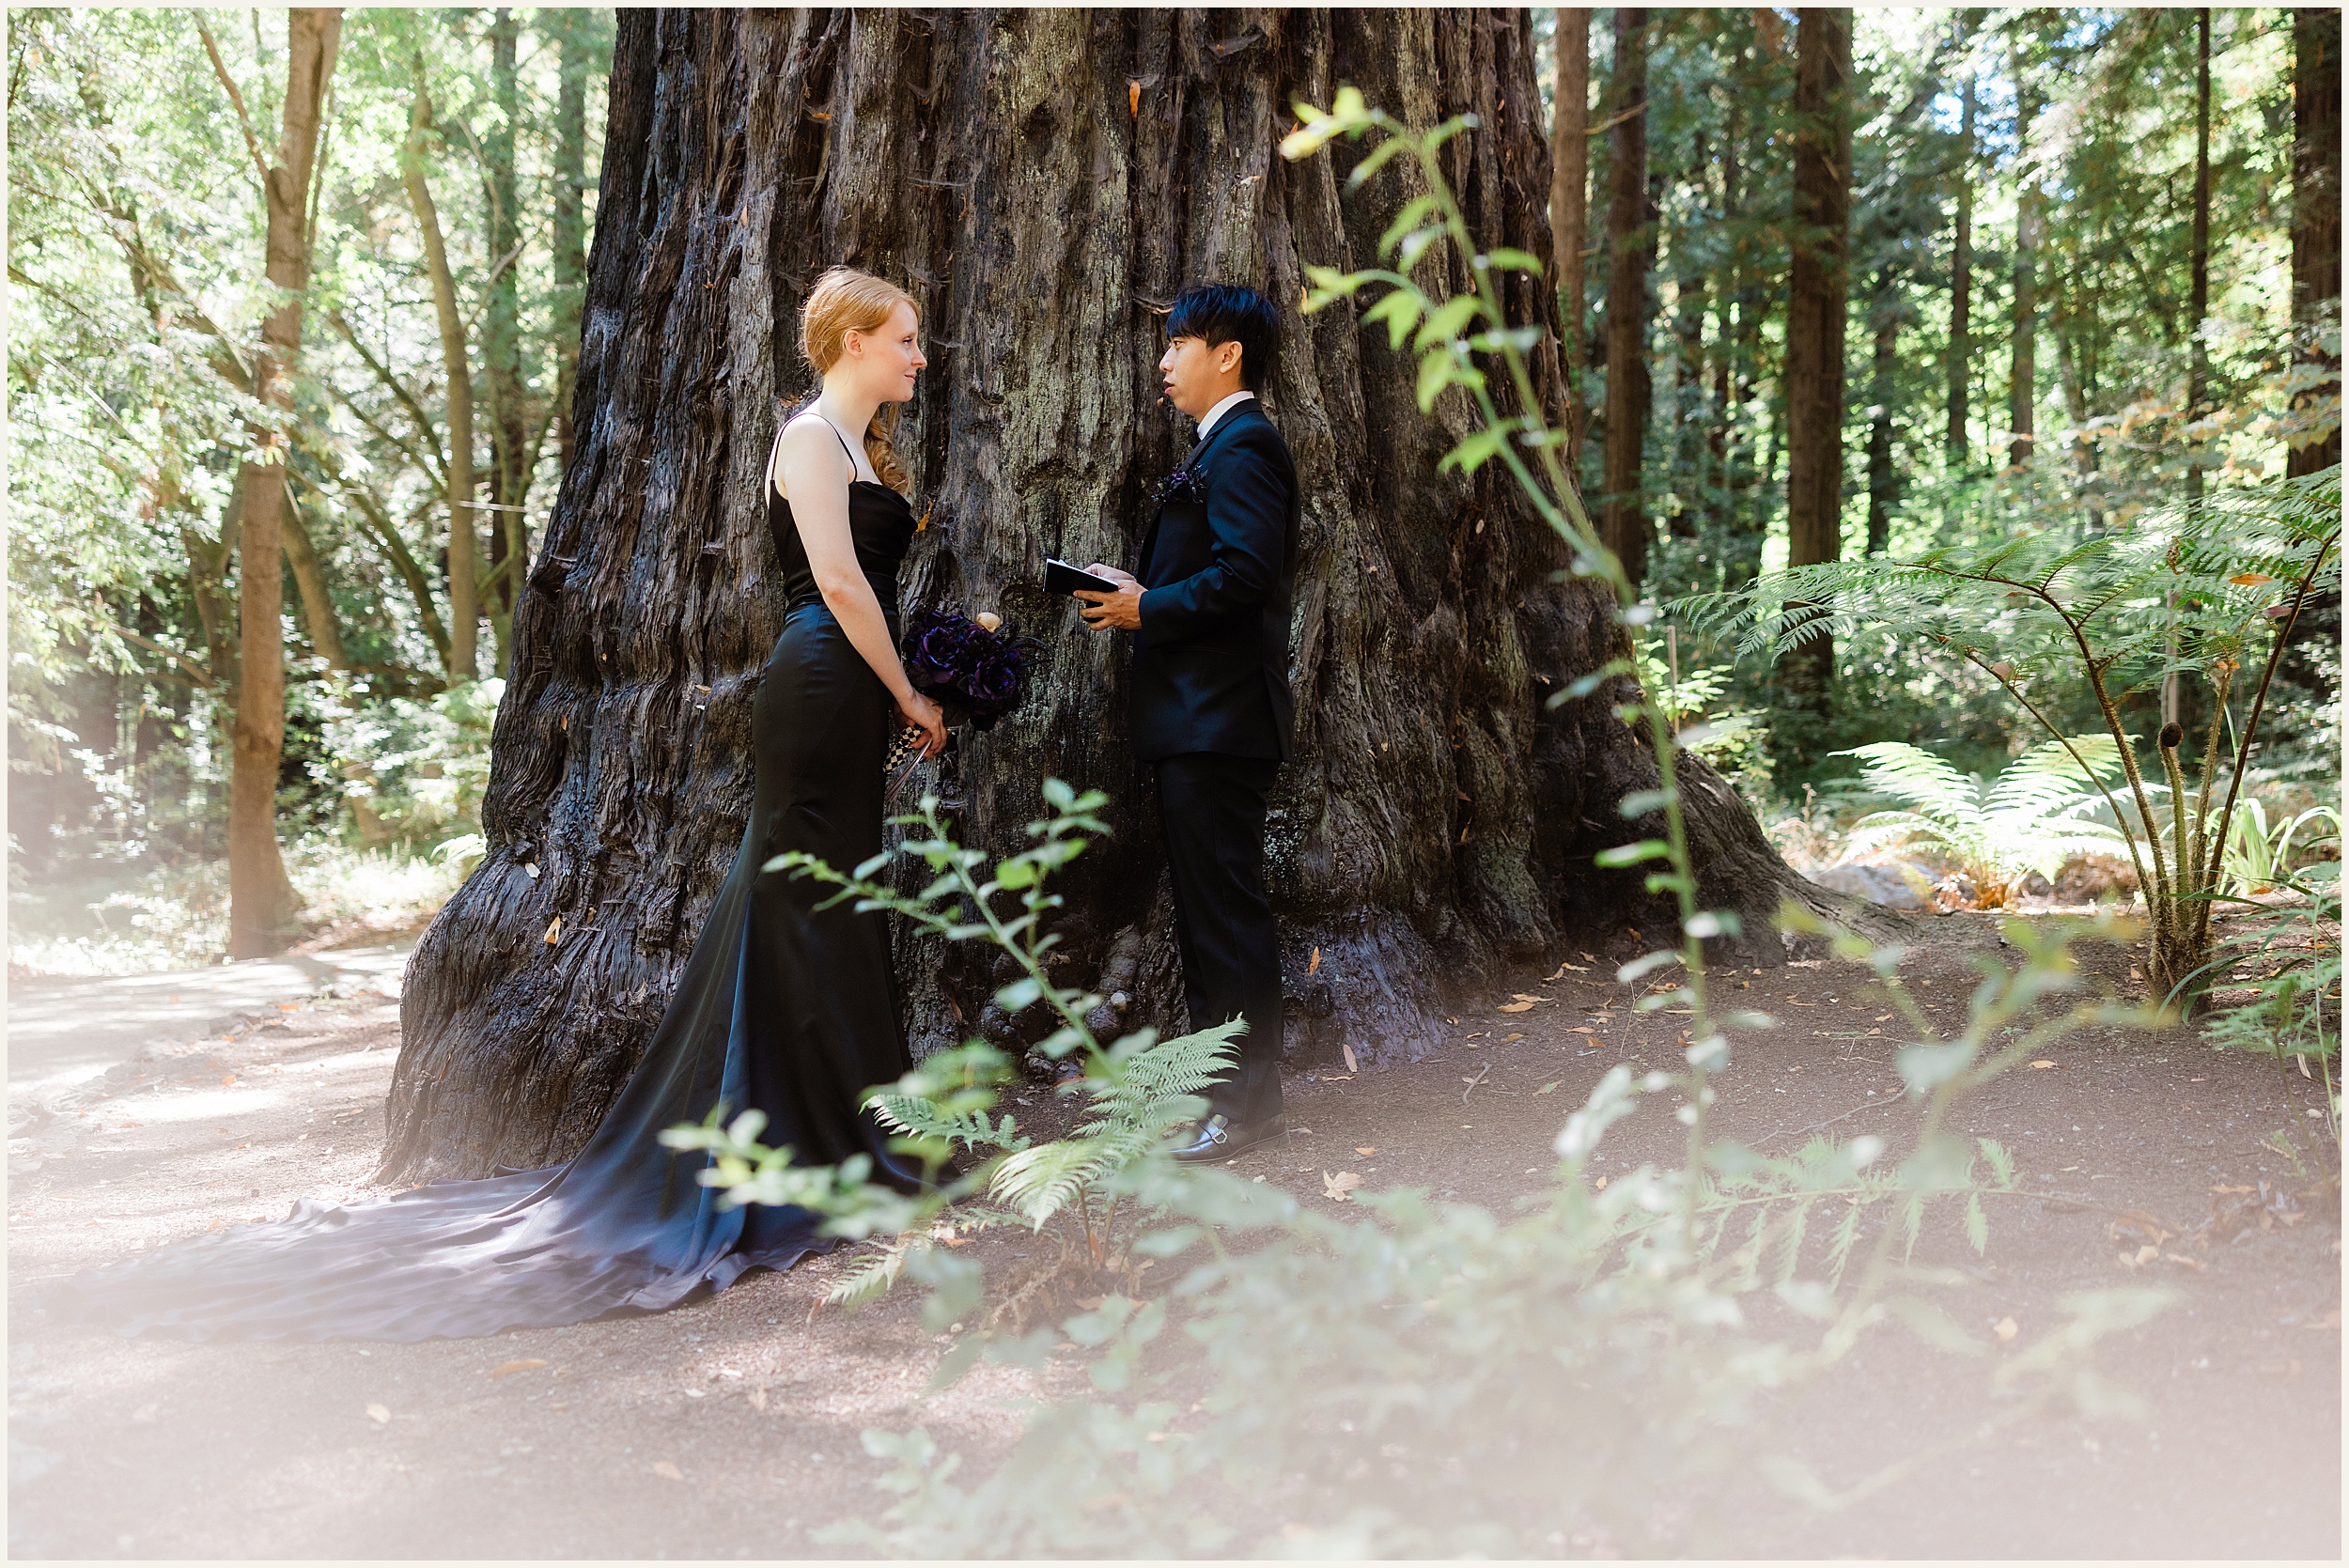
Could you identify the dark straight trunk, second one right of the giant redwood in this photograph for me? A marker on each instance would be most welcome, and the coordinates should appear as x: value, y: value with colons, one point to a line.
x: 1629, y: 238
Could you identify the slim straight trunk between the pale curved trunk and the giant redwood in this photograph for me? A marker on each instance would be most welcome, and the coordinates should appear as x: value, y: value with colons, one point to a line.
x: 502, y: 337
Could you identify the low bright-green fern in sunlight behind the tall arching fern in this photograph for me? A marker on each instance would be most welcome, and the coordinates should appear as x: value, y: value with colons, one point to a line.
x: 2028, y: 820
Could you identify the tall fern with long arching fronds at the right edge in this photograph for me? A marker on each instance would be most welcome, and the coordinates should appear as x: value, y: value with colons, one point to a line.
x: 2207, y: 593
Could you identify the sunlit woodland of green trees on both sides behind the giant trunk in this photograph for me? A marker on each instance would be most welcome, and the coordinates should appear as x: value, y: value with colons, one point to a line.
x: 2068, y: 302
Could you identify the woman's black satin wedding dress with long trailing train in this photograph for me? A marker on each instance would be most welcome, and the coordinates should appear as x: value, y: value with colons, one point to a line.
x: 783, y: 1006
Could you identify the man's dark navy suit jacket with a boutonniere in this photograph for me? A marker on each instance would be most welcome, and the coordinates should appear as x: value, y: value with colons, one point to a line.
x: 1218, y: 574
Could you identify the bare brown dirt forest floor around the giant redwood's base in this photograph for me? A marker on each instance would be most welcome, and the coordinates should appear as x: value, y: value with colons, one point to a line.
x: 729, y: 1428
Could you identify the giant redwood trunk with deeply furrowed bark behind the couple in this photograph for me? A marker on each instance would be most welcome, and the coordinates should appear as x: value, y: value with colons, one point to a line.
x: 1044, y: 182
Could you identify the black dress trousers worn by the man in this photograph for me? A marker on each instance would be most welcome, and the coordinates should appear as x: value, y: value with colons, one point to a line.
x: 1211, y: 816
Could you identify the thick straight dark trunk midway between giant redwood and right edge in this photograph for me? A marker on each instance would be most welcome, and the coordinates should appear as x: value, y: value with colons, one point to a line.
x: 1815, y: 325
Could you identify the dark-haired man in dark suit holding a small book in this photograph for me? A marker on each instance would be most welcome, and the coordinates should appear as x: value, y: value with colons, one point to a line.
x: 1211, y: 687
